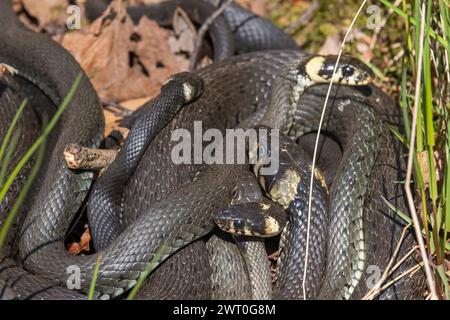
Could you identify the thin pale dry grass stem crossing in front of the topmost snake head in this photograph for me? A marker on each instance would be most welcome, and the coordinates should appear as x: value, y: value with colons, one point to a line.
x: 316, y: 145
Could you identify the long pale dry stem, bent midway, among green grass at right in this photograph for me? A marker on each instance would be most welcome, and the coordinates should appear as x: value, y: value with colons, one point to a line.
x: 412, y: 208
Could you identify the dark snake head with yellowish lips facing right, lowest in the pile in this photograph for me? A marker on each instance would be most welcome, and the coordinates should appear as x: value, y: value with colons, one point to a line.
x: 247, y: 219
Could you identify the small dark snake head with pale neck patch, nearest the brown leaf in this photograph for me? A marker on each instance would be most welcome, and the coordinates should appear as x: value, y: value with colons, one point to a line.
x: 190, y: 85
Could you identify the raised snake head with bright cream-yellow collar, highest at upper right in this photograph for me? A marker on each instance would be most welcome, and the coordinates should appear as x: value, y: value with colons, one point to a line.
x: 350, y: 71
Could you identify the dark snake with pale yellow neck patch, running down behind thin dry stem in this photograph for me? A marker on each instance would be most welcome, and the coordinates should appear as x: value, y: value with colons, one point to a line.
x: 295, y: 172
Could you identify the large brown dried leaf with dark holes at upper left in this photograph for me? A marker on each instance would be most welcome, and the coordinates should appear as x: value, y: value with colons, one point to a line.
x: 123, y: 61
